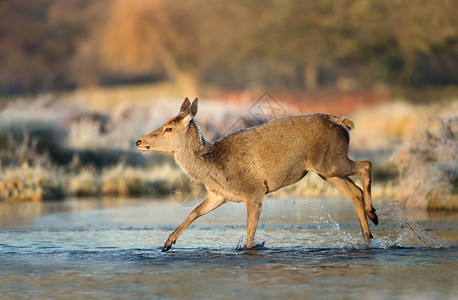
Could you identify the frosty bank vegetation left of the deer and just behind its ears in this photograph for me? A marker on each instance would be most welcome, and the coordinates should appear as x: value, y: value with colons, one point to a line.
x: 52, y: 148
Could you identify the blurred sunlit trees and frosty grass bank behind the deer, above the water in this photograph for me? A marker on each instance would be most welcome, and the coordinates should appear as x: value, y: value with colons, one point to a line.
x: 81, y: 81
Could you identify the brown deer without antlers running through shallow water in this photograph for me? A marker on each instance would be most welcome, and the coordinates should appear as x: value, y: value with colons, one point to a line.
x: 247, y: 165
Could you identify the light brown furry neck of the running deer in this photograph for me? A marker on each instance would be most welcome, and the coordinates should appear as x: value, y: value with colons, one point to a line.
x: 189, y: 155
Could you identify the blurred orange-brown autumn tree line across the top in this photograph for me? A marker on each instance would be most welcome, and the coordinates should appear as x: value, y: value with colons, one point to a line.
x: 281, y: 44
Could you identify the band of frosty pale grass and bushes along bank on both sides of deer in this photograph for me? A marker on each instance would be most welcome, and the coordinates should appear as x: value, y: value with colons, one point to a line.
x: 52, y: 148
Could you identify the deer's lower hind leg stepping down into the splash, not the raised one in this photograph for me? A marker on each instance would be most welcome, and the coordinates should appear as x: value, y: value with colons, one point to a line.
x: 347, y: 187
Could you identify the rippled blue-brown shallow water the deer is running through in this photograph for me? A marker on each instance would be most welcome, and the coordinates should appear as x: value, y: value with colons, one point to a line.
x: 307, y: 248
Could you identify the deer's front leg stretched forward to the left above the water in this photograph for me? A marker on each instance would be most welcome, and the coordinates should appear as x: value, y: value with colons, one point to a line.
x: 210, y: 203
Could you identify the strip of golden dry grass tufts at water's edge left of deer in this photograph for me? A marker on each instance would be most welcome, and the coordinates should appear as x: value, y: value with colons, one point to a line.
x: 35, y: 183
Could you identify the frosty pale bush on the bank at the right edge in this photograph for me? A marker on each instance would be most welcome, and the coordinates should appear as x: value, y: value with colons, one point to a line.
x: 428, y: 166
